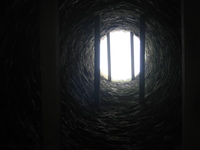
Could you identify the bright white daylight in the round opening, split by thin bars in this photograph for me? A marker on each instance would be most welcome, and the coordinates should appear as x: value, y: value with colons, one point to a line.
x: 120, y: 56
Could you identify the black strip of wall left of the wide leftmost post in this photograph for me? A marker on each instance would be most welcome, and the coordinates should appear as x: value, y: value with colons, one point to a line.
x: 20, y: 76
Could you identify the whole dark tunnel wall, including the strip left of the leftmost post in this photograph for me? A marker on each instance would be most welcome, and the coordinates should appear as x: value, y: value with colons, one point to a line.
x: 120, y: 122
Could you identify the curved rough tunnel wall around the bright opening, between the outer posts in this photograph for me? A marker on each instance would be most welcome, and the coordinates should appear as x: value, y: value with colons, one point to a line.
x: 121, y: 122
